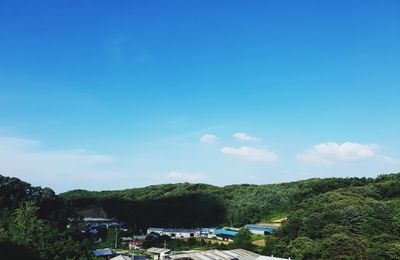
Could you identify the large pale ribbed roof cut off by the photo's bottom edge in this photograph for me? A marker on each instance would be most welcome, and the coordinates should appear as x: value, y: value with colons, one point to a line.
x: 236, y: 254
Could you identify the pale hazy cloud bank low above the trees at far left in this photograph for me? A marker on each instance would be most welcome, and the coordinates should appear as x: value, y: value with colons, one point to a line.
x: 30, y: 161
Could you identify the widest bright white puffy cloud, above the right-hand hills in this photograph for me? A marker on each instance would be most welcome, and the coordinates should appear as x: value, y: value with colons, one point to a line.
x: 330, y: 152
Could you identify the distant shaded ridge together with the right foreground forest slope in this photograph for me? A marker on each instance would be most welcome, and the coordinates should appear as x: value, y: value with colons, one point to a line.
x: 333, y: 218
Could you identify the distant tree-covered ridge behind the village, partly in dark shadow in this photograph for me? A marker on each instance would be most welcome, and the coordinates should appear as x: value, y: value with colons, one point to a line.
x: 194, y: 205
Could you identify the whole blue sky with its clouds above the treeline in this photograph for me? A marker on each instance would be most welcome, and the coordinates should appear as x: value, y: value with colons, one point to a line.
x: 107, y: 95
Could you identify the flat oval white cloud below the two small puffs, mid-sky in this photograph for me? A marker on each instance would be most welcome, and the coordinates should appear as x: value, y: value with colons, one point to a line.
x: 250, y: 154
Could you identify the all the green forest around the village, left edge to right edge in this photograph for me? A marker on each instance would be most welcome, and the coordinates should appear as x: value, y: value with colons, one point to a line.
x: 334, y: 218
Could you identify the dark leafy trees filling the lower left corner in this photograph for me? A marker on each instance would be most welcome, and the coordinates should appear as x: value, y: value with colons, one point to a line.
x: 33, y: 224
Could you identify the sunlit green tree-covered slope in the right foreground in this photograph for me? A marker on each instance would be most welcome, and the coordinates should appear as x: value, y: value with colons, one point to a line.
x: 348, y: 223
